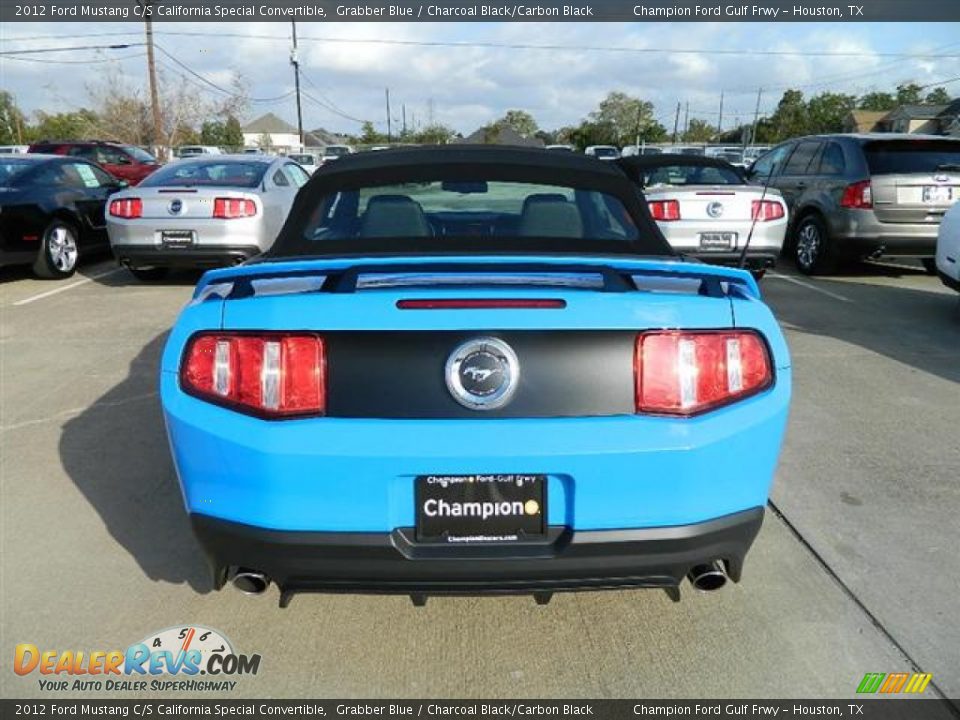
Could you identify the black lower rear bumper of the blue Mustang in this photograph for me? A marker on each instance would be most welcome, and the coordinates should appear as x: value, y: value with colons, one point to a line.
x: 394, y: 563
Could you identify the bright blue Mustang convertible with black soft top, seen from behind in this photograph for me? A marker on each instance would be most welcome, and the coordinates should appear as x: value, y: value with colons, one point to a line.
x: 469, y: 370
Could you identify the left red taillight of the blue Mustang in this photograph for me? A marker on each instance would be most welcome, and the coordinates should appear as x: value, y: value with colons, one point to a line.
x: 269, y: 374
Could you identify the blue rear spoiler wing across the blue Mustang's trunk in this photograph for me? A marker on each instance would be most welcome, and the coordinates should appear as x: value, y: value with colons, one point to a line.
x: 348, y: 275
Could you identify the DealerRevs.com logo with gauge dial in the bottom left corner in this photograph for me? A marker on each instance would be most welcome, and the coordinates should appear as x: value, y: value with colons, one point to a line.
x: 190, y: 658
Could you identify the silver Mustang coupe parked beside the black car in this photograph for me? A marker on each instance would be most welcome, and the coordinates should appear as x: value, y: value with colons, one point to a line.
x: 207, y: 211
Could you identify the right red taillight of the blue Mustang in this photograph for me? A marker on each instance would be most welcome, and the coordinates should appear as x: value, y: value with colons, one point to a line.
x: 685, y: 373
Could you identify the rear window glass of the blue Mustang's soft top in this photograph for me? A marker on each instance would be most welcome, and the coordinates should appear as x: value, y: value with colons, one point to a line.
x: 468, y: 216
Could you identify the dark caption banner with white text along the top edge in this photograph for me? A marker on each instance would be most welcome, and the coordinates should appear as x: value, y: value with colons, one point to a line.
x: 784, y: 11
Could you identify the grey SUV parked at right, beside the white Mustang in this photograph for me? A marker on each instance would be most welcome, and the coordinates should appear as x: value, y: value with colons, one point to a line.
x: 862, y: 195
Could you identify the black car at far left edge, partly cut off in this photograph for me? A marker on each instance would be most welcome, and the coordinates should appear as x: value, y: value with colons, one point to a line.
x: 52, y: 211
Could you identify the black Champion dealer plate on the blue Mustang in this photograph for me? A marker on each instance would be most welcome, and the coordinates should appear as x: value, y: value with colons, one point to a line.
x: 481, y: 508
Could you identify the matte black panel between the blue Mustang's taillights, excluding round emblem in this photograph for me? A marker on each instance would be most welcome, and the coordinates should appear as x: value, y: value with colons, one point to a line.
x: 402, y: 374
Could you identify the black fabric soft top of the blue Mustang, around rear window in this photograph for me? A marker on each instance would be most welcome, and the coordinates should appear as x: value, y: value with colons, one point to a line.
x: 465, y: 163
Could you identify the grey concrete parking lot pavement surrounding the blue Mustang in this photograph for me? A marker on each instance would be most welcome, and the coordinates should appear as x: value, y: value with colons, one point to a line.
x: 856, y: 569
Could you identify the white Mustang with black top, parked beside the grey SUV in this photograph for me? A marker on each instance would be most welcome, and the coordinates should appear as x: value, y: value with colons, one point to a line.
x: 705, y: 208
